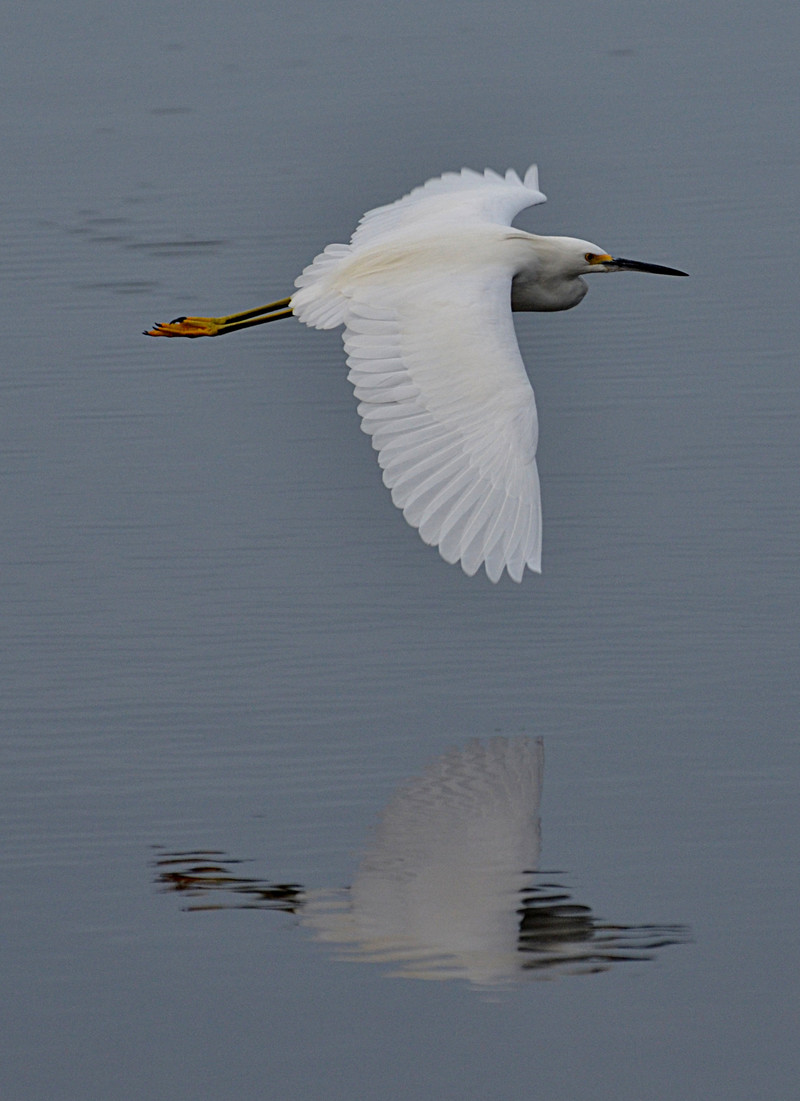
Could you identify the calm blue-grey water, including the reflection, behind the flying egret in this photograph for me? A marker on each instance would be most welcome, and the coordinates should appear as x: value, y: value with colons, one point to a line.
x: 267, y: 760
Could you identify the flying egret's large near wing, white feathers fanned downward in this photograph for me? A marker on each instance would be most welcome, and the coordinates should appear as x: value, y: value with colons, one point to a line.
x: 445, y: 396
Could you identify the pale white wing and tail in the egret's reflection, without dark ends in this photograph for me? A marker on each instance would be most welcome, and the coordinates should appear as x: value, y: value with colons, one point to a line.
x: 440, y: 889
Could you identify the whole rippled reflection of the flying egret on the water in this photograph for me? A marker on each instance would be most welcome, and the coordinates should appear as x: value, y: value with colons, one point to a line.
x: 448, y: 888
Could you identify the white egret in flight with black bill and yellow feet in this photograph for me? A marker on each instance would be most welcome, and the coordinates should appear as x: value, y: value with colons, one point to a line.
x: 425, y: 291
